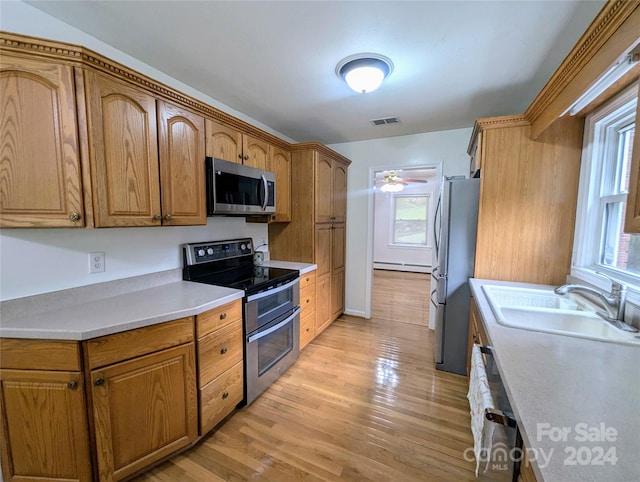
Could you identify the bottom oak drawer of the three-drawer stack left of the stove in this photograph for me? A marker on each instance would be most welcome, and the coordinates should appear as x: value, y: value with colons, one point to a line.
x: 220, y: 397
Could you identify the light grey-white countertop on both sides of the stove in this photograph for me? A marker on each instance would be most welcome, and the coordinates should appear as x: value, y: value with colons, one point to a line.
x: 115, y: 306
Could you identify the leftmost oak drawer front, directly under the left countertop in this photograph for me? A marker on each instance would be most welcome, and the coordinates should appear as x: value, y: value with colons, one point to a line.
x: 23, y: 354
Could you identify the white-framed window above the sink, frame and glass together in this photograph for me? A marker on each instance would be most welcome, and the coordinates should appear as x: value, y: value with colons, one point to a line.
x: 601, y: 245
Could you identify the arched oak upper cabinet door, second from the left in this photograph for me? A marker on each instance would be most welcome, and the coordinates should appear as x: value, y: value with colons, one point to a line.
x: 124, y: 153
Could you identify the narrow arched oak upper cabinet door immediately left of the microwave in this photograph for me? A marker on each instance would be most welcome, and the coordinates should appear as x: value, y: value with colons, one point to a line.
x: 181, y: 152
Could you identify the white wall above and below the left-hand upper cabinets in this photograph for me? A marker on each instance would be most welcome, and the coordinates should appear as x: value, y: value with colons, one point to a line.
x: 35, y: 261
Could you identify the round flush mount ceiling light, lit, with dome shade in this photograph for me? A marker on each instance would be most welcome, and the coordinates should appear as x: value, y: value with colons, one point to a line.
x: 364, y: 72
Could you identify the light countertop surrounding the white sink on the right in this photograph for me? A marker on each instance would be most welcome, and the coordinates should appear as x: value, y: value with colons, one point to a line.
x: 588, y: 389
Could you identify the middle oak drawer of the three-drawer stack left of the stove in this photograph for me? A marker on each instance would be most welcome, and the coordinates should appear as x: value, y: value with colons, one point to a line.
x: 219, y: 351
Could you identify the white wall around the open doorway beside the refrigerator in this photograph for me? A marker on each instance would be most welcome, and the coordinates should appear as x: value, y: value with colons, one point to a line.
x: 432, y: 148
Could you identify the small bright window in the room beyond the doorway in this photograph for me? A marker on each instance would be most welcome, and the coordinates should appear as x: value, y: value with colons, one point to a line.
x: 409, y: 222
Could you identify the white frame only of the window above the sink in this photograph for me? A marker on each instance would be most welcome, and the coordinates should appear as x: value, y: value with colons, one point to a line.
x: 585, y: 263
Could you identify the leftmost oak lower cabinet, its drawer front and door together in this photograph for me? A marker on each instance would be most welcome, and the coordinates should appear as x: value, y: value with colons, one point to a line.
x: 43, y: 413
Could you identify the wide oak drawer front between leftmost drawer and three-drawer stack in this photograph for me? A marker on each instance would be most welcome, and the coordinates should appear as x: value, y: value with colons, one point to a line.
x: 133, y: 343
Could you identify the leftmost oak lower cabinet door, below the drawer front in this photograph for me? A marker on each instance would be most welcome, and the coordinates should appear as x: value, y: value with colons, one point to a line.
x: 44, y: 425
